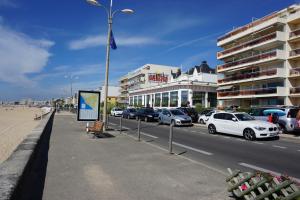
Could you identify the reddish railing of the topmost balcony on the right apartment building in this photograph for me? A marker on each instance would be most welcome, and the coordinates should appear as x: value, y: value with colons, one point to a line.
x: 248, y: 26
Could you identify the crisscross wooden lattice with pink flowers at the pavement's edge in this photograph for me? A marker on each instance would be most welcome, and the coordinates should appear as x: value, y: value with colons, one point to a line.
x: 261, y: 186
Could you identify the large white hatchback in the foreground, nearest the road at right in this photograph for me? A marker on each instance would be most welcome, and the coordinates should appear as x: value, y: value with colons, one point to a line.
x: 241, y: 124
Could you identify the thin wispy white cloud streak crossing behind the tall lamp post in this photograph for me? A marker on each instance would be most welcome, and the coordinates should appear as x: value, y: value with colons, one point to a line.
x: 101, y: 40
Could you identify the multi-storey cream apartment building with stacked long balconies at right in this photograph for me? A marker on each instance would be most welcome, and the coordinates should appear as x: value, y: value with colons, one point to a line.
x: 261, y: 61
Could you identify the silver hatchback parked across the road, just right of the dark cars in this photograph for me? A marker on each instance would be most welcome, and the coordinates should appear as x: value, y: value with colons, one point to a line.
x: 174, y: 117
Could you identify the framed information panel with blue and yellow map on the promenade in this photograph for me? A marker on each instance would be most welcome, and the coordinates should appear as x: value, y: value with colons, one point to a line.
x: 88, y: 105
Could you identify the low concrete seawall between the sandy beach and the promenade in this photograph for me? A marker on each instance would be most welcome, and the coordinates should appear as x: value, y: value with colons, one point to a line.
x: 22, y: 175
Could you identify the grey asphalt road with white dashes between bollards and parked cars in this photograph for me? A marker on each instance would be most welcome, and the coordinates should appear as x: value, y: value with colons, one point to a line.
x: 221, y: 151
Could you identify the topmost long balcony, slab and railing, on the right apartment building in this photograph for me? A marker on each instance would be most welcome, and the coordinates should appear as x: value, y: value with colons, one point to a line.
x: 255, y: 26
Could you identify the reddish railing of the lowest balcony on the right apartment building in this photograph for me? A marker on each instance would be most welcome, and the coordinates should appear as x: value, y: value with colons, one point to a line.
x: 258, y: 91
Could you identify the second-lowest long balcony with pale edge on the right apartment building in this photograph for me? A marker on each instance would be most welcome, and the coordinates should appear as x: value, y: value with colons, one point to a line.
x: 254, y: 76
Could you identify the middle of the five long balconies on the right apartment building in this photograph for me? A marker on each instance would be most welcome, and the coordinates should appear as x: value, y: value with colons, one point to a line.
x: 252, y: 60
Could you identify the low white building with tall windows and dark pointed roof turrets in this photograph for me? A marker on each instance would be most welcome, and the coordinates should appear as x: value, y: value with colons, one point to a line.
x: 197, y: 86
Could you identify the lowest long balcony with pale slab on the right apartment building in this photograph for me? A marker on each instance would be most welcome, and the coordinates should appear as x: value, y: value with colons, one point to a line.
x: 253, y: 93
